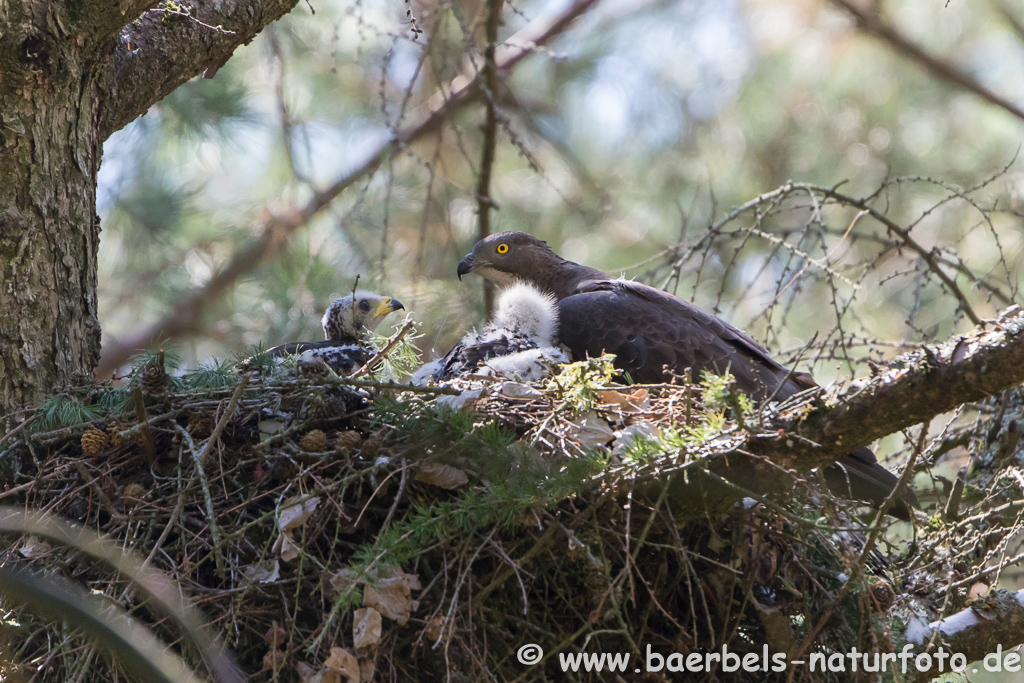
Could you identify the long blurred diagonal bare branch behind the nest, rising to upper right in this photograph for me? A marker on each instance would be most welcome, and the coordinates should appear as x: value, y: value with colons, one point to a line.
x: 187, y: 316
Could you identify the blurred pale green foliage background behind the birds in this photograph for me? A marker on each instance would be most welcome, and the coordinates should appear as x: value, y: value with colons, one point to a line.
x: 634, y: 132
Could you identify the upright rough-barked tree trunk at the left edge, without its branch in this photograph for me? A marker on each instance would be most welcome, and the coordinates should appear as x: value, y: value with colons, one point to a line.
x: 50, y: 233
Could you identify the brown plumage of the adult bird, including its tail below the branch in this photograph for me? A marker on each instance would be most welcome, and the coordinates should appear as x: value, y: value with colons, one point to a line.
x: 652, y: 331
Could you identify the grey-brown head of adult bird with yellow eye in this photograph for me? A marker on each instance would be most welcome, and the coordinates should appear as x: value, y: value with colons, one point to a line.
x: 505, y: 259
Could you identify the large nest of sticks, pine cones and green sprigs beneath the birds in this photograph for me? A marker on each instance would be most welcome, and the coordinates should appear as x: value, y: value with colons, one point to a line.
x: 339, y: 530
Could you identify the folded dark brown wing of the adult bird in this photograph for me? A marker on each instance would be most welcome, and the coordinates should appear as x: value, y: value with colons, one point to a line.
x: 649, y: 329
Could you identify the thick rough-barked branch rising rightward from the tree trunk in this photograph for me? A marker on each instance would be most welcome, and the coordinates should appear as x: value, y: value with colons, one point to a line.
x: 161, y: 52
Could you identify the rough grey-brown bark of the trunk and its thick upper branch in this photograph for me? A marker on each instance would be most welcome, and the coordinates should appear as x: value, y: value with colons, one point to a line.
x: 72, y: 73
